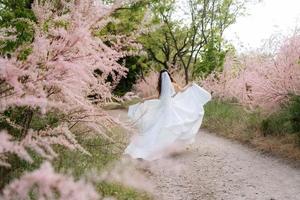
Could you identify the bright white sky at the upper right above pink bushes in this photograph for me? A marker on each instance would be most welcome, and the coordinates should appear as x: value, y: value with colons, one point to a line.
x: 263, y: 20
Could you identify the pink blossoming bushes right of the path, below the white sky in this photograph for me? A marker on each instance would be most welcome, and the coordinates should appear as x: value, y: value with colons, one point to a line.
x: 259, y: 80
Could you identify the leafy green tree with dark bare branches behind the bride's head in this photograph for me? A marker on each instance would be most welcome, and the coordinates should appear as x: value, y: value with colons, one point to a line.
x: 199, y: 40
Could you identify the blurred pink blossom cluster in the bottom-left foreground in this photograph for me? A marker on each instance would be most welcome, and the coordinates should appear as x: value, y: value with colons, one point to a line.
x: 47, y: 184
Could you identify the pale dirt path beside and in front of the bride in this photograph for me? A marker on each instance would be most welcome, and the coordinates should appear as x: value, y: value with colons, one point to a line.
x: 216, y: 168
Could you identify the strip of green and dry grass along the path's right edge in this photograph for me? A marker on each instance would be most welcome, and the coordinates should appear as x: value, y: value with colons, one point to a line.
x: 269, y: 133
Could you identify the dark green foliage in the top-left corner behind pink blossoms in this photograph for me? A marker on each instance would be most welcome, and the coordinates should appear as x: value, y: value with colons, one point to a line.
x: 16, y: 13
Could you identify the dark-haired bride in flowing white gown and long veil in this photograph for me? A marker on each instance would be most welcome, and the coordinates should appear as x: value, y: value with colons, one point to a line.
x: 175, y: 116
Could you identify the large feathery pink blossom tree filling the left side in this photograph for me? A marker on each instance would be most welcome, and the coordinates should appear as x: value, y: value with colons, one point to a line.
x: 66, y: 65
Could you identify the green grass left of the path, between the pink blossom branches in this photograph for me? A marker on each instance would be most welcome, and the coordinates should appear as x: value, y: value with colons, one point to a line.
x: 103, y: 153
